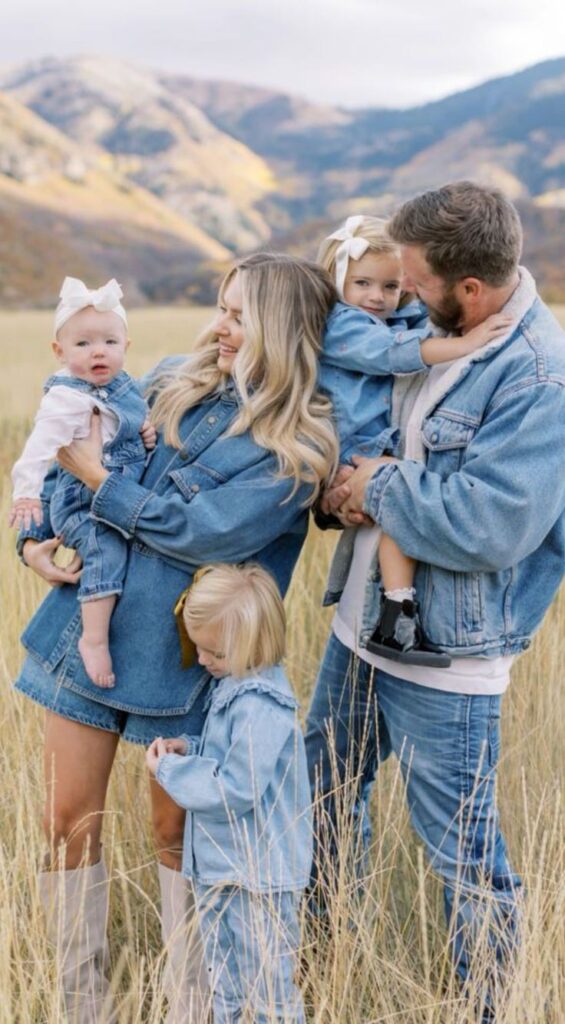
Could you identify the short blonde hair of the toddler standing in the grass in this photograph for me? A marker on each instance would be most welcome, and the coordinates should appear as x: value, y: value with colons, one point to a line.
x: 246, y: 603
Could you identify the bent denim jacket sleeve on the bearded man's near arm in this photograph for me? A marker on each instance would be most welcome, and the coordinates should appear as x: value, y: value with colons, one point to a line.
x: 503, y: 502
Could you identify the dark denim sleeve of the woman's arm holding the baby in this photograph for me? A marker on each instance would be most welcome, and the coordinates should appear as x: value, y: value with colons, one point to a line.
x: 229, y: 523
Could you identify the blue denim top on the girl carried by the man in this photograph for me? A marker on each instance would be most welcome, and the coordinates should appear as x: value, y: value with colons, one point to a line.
x: 361, y: 355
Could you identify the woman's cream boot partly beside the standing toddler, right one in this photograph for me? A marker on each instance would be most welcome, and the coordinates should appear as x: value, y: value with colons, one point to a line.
x: 186, y: 982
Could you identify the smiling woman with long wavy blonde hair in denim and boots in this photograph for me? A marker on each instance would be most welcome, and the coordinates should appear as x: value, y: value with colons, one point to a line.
x: 245, y: 444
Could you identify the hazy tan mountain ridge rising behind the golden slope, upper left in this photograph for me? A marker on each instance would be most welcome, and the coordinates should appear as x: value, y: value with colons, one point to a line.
x: 159, y: 139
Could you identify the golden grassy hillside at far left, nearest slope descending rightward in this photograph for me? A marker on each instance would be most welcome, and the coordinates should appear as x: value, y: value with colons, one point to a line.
x: 63, y: 210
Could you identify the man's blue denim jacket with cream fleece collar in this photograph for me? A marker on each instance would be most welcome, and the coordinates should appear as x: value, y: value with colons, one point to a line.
x: 485, y: 513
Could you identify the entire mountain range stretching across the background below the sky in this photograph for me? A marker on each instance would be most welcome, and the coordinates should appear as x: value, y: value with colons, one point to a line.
x: 167, y: 176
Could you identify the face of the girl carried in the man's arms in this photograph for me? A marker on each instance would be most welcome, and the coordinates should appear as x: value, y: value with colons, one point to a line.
x: 373, y: 283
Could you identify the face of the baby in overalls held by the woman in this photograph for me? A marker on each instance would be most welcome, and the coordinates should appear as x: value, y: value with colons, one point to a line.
x: 93, y: 346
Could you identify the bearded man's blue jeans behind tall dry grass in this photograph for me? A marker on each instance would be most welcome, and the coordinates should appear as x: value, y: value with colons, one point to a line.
x: 448, y: 746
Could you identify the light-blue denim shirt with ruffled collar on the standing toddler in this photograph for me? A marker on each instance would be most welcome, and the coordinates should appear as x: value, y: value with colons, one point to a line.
x: 245, y: 786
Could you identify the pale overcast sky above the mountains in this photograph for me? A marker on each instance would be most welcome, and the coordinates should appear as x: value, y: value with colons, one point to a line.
x: 344, y: 53
